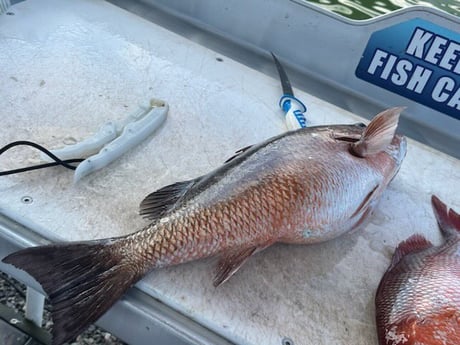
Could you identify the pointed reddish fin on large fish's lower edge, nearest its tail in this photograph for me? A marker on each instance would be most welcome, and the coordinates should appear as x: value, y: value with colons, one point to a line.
x: 231, y: 262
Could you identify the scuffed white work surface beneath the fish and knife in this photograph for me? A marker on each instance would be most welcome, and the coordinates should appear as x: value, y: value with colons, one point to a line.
x: 68, y: 67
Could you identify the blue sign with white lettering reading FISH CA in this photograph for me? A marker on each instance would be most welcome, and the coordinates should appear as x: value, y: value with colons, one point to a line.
x: 418, y: 60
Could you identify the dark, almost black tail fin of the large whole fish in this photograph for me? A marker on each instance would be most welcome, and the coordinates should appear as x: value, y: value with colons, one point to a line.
x: 82, y: 280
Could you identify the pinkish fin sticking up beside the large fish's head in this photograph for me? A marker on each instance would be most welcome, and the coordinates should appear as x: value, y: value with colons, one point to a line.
x: 378, y: 134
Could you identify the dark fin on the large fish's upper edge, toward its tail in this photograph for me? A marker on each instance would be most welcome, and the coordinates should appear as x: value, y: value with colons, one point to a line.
x: 158, y: 203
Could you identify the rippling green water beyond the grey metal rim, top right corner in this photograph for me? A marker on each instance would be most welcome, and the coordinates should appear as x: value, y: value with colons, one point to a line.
x: 365, y: 9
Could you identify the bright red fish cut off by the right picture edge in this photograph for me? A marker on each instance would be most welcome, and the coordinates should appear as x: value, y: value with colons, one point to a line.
x: 418, y: 300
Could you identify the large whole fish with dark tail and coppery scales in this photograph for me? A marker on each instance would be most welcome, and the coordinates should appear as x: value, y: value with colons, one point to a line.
x: 303, y: 186
